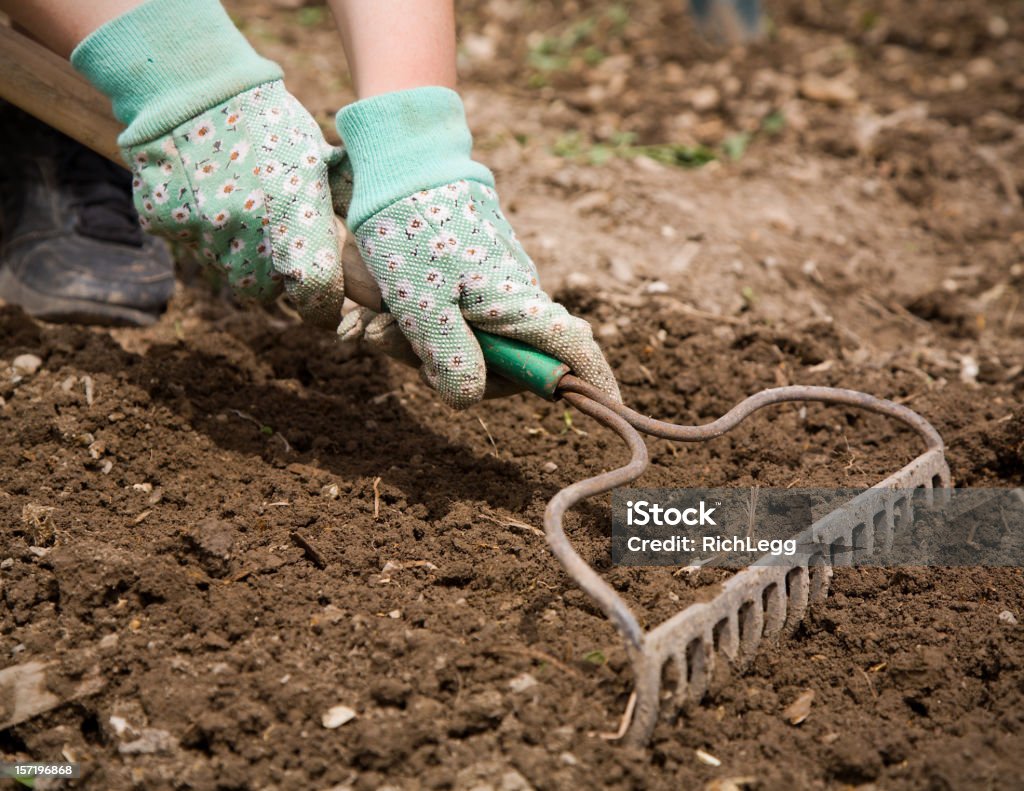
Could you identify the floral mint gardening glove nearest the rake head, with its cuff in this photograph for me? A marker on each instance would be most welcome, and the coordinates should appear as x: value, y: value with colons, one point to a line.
x: 432, y: 232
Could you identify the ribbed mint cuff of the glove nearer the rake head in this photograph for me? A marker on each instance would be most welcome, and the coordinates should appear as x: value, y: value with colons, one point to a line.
x: 401, y: 144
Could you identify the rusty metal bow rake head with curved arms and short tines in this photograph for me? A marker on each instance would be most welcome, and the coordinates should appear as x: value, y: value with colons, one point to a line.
x: 766, y: 600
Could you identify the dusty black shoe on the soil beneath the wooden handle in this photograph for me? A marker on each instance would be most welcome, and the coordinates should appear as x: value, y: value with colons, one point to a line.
x: 72, y: 249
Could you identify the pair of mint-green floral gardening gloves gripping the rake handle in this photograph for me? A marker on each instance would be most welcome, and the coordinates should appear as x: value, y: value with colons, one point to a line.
x: 228, y: 163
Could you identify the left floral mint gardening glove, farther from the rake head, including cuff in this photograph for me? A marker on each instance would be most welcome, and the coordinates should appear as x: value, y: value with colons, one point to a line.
x: 226, y: 161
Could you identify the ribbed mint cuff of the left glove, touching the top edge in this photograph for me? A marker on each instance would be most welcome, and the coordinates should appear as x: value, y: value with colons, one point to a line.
x: 167, y: 62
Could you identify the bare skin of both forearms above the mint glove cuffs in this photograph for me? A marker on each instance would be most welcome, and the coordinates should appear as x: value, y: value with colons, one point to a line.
x: 392, y: 45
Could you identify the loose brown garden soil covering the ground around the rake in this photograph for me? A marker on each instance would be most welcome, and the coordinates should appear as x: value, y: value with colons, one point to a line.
x: 238, y: 524
